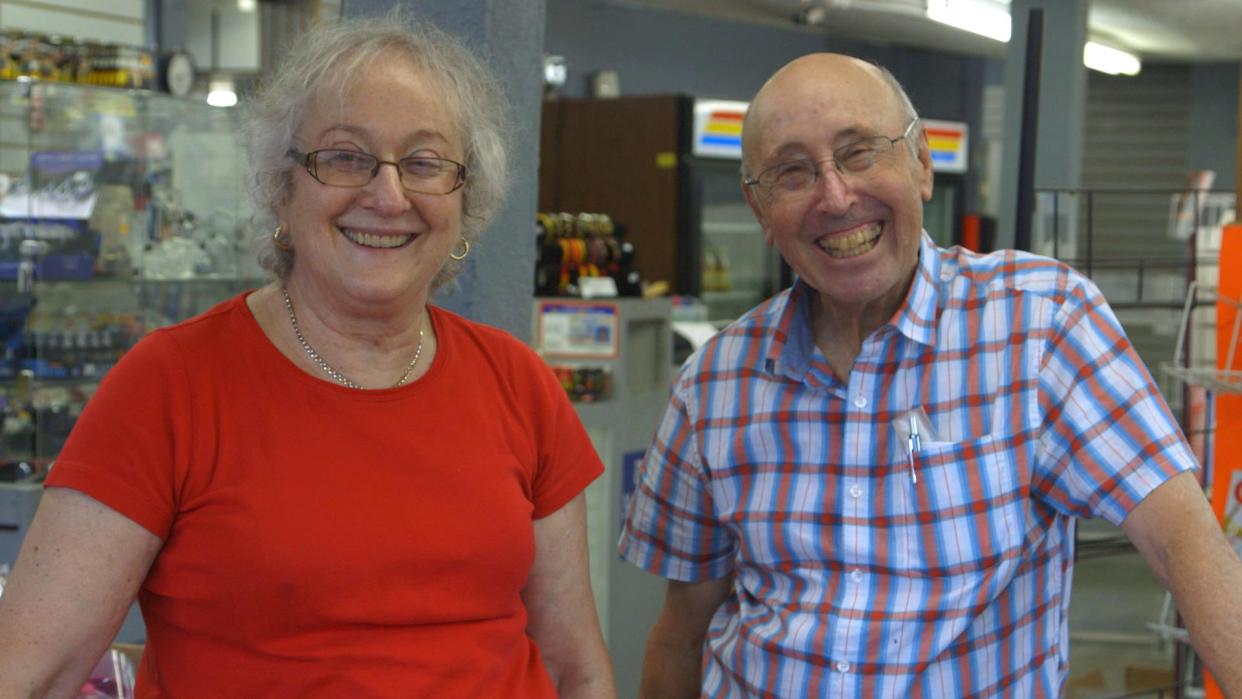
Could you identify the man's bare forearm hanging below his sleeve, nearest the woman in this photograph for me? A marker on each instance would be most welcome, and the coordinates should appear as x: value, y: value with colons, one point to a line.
x: 673, y: 667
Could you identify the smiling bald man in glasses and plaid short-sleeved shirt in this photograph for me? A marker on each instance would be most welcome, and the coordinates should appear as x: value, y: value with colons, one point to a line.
x: 868, y: 486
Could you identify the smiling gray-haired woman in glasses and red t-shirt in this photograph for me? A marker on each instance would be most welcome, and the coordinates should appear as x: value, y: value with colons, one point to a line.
x: 329, y: 487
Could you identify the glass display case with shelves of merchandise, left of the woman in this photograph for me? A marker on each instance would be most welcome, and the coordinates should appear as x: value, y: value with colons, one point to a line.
x: 121, y: 212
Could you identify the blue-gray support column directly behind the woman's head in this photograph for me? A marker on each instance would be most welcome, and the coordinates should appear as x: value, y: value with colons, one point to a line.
x: 497, y: 285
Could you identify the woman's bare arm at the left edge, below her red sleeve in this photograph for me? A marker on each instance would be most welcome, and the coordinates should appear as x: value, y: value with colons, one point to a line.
x: 80, y: 568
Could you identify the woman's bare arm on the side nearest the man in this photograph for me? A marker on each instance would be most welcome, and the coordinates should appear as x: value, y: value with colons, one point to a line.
x: 562, y: 610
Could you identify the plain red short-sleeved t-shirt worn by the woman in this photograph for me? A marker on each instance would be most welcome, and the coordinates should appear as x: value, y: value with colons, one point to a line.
x: 326, y: 542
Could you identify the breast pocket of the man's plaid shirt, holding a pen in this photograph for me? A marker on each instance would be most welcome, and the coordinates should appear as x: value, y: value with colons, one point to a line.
x: 968, y: 510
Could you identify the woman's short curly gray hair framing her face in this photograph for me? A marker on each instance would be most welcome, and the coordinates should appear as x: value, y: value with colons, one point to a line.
x: 321, y: 63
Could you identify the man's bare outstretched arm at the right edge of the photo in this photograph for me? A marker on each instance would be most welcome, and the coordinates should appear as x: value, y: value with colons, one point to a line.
x: 1179, y: 537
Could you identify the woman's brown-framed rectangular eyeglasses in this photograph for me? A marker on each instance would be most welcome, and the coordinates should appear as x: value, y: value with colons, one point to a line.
x: 356, y: 169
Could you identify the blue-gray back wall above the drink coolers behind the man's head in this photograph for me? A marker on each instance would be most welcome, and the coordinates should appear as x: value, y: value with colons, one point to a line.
x: 660, y: 53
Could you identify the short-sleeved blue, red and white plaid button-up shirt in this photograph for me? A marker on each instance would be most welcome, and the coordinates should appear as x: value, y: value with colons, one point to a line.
x: 851, y: 578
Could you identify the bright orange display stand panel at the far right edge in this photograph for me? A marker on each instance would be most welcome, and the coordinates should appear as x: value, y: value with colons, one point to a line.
x: 1228, y: 455
